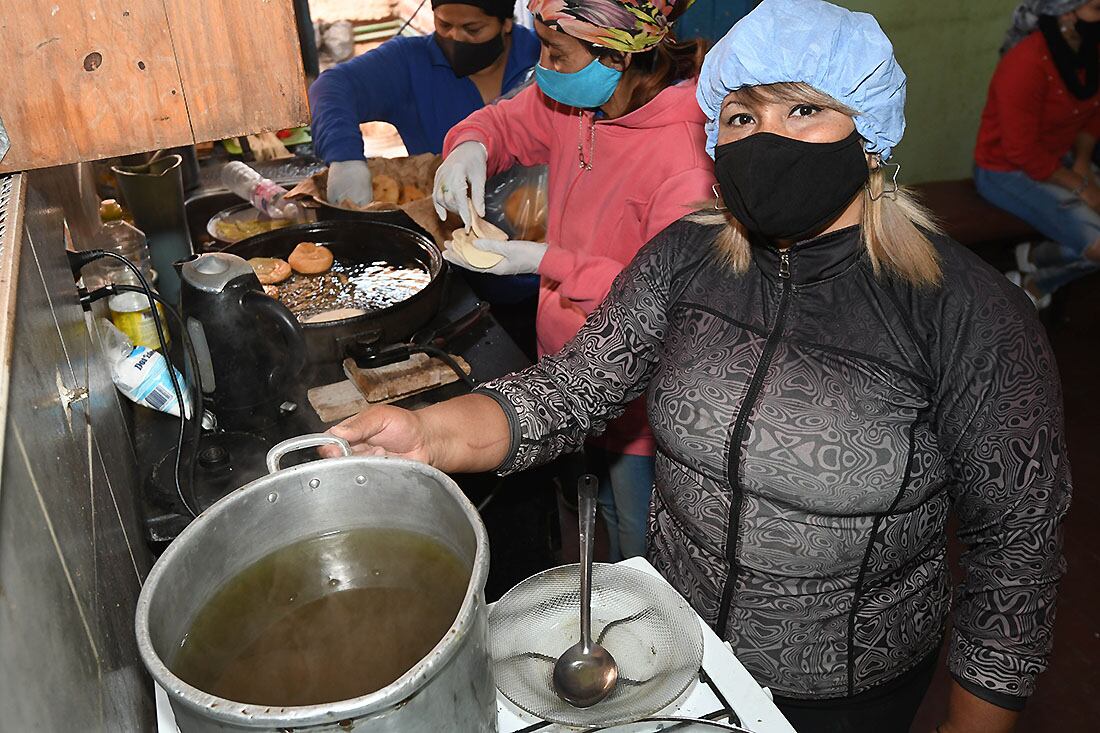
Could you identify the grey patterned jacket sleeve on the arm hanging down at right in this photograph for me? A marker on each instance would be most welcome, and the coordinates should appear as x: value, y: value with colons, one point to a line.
x: 1002, y: 422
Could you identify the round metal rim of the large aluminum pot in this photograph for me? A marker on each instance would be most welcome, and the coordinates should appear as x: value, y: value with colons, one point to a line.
x: 394, y: 695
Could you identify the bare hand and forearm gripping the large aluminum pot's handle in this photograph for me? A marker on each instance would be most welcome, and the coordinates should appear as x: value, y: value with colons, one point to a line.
x: 464, y: 435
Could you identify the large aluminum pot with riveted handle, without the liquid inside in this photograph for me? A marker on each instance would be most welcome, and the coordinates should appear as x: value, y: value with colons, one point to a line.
x: 452, y: 690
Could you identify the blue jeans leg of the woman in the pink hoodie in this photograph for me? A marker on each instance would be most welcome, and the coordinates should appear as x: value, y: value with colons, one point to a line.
x: 626, y: 484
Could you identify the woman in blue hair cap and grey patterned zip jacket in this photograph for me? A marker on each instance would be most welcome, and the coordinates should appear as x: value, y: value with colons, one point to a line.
x: 829, y: 380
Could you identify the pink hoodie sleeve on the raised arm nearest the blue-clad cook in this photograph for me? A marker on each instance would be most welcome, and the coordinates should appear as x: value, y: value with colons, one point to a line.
x: 518, y: 130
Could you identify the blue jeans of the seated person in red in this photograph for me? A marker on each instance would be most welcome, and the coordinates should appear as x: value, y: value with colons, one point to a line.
x: 1060, y: 216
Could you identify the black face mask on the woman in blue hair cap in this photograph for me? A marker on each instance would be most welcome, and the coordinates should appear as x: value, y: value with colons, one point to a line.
x: 786, y: 189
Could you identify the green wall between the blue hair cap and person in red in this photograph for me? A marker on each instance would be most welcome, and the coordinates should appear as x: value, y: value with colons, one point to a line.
x: 949, y: 50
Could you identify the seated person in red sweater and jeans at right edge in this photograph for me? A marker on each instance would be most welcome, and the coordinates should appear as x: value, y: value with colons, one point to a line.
x: 1039, y: 133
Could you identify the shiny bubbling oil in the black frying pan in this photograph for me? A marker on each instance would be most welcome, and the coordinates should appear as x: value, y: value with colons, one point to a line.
x: 365, y: 286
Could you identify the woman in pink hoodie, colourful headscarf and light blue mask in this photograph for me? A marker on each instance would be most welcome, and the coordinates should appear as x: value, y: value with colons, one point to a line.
x: 614, y: 117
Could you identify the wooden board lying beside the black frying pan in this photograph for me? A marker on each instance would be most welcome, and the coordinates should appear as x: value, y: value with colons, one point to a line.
x: 378, y: 387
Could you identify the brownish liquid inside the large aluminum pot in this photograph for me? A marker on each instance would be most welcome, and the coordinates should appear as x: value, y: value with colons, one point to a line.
x: 326, y: 619
